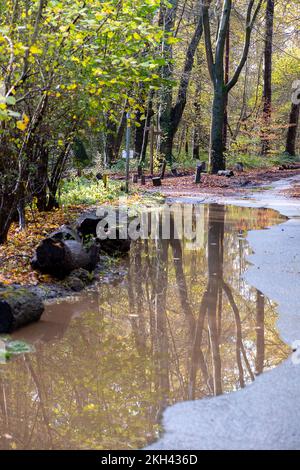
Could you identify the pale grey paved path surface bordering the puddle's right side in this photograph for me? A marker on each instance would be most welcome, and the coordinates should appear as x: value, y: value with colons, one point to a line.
x: 266, y: 414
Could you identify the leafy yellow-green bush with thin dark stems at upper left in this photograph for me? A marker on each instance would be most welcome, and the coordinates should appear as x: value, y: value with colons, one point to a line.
x: 66, y: 69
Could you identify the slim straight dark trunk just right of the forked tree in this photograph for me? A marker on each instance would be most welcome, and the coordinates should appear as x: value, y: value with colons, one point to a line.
x: 267, y: 92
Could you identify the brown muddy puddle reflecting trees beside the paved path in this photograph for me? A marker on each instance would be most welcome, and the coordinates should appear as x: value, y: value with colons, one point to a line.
x: 181, y: 325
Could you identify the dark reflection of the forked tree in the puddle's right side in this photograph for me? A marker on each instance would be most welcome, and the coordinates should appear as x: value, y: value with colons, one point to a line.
x: 212, y: 303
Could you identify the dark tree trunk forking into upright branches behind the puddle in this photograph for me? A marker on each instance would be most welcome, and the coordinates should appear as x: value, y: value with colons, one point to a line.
x: 215, y: 61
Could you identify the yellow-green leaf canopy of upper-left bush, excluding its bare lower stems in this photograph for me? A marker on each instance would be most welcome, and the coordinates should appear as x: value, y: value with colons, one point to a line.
x: 88, y: 55
